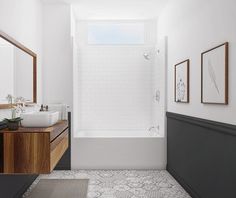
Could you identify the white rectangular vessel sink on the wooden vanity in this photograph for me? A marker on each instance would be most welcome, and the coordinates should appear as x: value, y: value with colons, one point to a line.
x: 39, y: 119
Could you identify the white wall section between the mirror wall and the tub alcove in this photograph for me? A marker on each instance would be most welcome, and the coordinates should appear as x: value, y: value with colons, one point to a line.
x: 58, y: 56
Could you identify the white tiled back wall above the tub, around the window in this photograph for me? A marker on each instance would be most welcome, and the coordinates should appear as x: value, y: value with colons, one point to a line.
x: 114, y: 83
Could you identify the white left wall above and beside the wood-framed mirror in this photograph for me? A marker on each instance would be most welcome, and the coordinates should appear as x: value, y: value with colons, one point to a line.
x: 22, y: 20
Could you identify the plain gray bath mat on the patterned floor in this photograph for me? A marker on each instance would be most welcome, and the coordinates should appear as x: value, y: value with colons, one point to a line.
x: 60, y: 188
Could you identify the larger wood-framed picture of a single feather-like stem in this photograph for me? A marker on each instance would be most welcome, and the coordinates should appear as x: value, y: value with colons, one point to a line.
x: 214, y: 75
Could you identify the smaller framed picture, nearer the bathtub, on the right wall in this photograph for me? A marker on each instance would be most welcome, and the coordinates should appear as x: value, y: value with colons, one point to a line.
x: 182, y: 82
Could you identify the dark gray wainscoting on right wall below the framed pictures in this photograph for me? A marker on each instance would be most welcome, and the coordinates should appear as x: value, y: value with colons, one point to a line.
x: 201, y: 155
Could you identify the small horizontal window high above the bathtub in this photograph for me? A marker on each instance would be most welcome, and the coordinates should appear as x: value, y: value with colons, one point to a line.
x: 116, y: 33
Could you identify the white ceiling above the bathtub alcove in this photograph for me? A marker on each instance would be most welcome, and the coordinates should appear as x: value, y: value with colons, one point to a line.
x: 115, y: 9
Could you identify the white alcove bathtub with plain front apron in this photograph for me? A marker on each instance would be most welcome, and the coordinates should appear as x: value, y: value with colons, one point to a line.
x: 118, y: 149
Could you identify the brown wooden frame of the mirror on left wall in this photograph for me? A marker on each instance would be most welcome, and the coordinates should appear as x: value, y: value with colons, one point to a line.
x: 31, y: 53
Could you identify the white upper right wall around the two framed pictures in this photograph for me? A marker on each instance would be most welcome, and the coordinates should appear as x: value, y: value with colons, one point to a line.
x: 193, y: 26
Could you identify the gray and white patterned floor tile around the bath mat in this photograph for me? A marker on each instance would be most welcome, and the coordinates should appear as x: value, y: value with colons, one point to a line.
x: 123, y: 184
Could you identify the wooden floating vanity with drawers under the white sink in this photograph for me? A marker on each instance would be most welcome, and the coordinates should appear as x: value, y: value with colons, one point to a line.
x: 33, y: 150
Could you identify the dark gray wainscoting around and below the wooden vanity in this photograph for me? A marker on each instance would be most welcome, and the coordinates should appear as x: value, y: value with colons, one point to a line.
x: 14, y: 186
